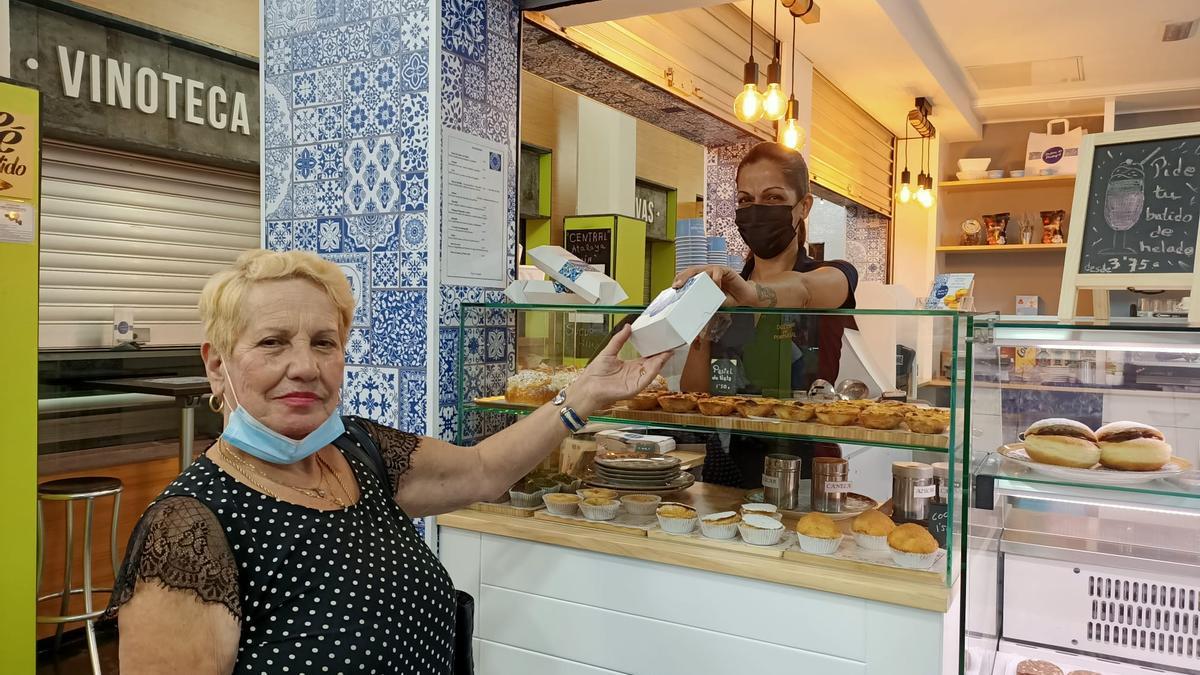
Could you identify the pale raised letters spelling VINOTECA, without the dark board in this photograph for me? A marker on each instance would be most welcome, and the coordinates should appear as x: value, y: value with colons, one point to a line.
x: 118, y: 83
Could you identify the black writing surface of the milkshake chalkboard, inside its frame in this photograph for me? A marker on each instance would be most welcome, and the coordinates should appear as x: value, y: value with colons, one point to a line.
x: 1143, y: 208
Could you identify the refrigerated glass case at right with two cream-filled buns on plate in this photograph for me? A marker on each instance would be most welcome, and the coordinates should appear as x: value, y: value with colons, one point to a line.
x: 1090, y: 568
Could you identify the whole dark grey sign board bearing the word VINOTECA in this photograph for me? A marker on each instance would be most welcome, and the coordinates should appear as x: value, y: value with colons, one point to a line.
x: 110, y: 83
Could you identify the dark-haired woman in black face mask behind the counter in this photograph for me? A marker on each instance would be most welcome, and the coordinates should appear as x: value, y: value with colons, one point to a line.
x: 775, y: 353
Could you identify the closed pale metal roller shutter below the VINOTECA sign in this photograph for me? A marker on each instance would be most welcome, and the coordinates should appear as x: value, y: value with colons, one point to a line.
x: 129, y: 231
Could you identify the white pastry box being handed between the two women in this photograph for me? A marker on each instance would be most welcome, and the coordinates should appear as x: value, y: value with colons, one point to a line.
x: 677, y: 316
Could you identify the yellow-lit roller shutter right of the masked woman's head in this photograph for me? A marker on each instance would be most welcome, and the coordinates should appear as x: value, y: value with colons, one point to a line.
x: 851, y: 153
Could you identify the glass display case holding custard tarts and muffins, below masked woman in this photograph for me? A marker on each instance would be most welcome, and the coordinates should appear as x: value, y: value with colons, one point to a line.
x: 776, y: 403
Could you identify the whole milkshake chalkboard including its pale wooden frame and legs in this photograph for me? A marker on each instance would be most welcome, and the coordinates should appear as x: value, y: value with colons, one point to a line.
x: 1137, y: 217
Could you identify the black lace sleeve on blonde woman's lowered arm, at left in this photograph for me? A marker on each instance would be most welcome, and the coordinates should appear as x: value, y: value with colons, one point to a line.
x: 181, y: 545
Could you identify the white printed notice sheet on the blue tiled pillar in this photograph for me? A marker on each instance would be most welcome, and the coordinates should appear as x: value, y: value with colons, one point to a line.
x: 476, y: 206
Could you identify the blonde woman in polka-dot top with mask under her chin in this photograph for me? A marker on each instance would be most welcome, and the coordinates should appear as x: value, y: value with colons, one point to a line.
x: 281, y: 549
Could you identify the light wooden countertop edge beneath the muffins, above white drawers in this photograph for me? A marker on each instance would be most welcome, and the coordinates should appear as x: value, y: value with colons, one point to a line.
x: 919, y: 595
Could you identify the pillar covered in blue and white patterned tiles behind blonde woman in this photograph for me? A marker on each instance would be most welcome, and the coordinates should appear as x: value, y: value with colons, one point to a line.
x: 356, y: 94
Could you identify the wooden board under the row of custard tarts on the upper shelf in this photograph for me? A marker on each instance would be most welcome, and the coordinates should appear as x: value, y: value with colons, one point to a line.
x: 772, y: 426
